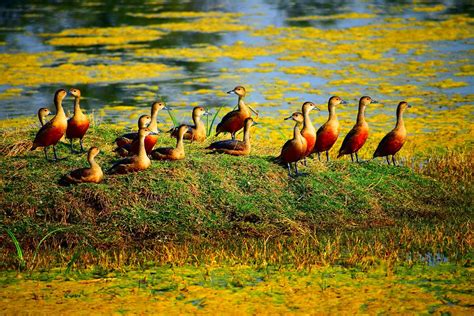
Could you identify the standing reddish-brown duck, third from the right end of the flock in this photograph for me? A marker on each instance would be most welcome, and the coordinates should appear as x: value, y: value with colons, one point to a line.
x: 327, y: 134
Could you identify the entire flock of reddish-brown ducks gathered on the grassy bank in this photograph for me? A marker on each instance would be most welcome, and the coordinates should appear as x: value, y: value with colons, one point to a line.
x: 138, y: 147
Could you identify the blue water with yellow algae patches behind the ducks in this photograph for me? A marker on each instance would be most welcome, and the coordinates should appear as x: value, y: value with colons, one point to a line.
x: 123, y: 56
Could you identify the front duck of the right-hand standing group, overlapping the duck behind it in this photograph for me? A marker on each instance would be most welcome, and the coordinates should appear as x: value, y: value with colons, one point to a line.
x: 294, y: 149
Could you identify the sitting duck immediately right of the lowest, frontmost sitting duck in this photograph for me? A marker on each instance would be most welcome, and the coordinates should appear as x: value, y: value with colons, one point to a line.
x: 135, y: 163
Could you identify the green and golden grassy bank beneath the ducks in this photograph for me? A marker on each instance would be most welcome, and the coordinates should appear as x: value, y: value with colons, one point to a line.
x: 221, y: 208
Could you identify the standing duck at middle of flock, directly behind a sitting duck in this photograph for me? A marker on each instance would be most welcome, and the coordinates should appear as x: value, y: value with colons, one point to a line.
x: 234, y: 120
